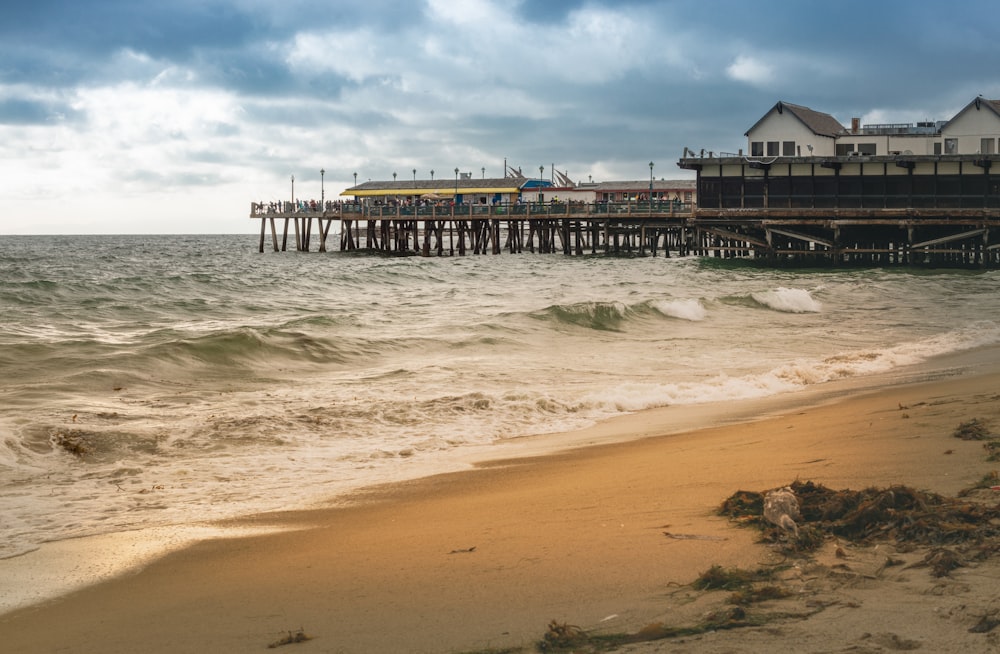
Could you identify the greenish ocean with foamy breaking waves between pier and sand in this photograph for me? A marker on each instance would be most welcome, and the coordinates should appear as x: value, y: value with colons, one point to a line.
x: 151, y: 381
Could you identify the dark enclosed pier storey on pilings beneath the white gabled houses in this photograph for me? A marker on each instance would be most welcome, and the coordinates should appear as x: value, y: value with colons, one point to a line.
x: 872, y: 210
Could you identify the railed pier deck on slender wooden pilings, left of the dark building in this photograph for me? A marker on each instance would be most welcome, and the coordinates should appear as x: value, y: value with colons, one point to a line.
x: 572, y: 228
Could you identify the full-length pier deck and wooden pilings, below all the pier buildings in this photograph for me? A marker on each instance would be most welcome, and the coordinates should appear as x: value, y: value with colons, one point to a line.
x: 776, y: 236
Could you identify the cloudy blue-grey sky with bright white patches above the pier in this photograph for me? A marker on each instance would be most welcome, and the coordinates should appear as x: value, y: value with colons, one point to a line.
x: 170, y: 116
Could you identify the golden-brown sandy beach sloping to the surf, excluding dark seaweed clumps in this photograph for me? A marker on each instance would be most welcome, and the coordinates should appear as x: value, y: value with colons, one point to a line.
x: 607, y: 537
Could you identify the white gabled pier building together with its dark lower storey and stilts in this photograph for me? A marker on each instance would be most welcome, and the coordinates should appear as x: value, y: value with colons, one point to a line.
x: 816, y: 192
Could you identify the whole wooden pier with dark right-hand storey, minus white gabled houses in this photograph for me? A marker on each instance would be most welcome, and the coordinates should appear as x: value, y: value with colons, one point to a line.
x: 935, y: 211
